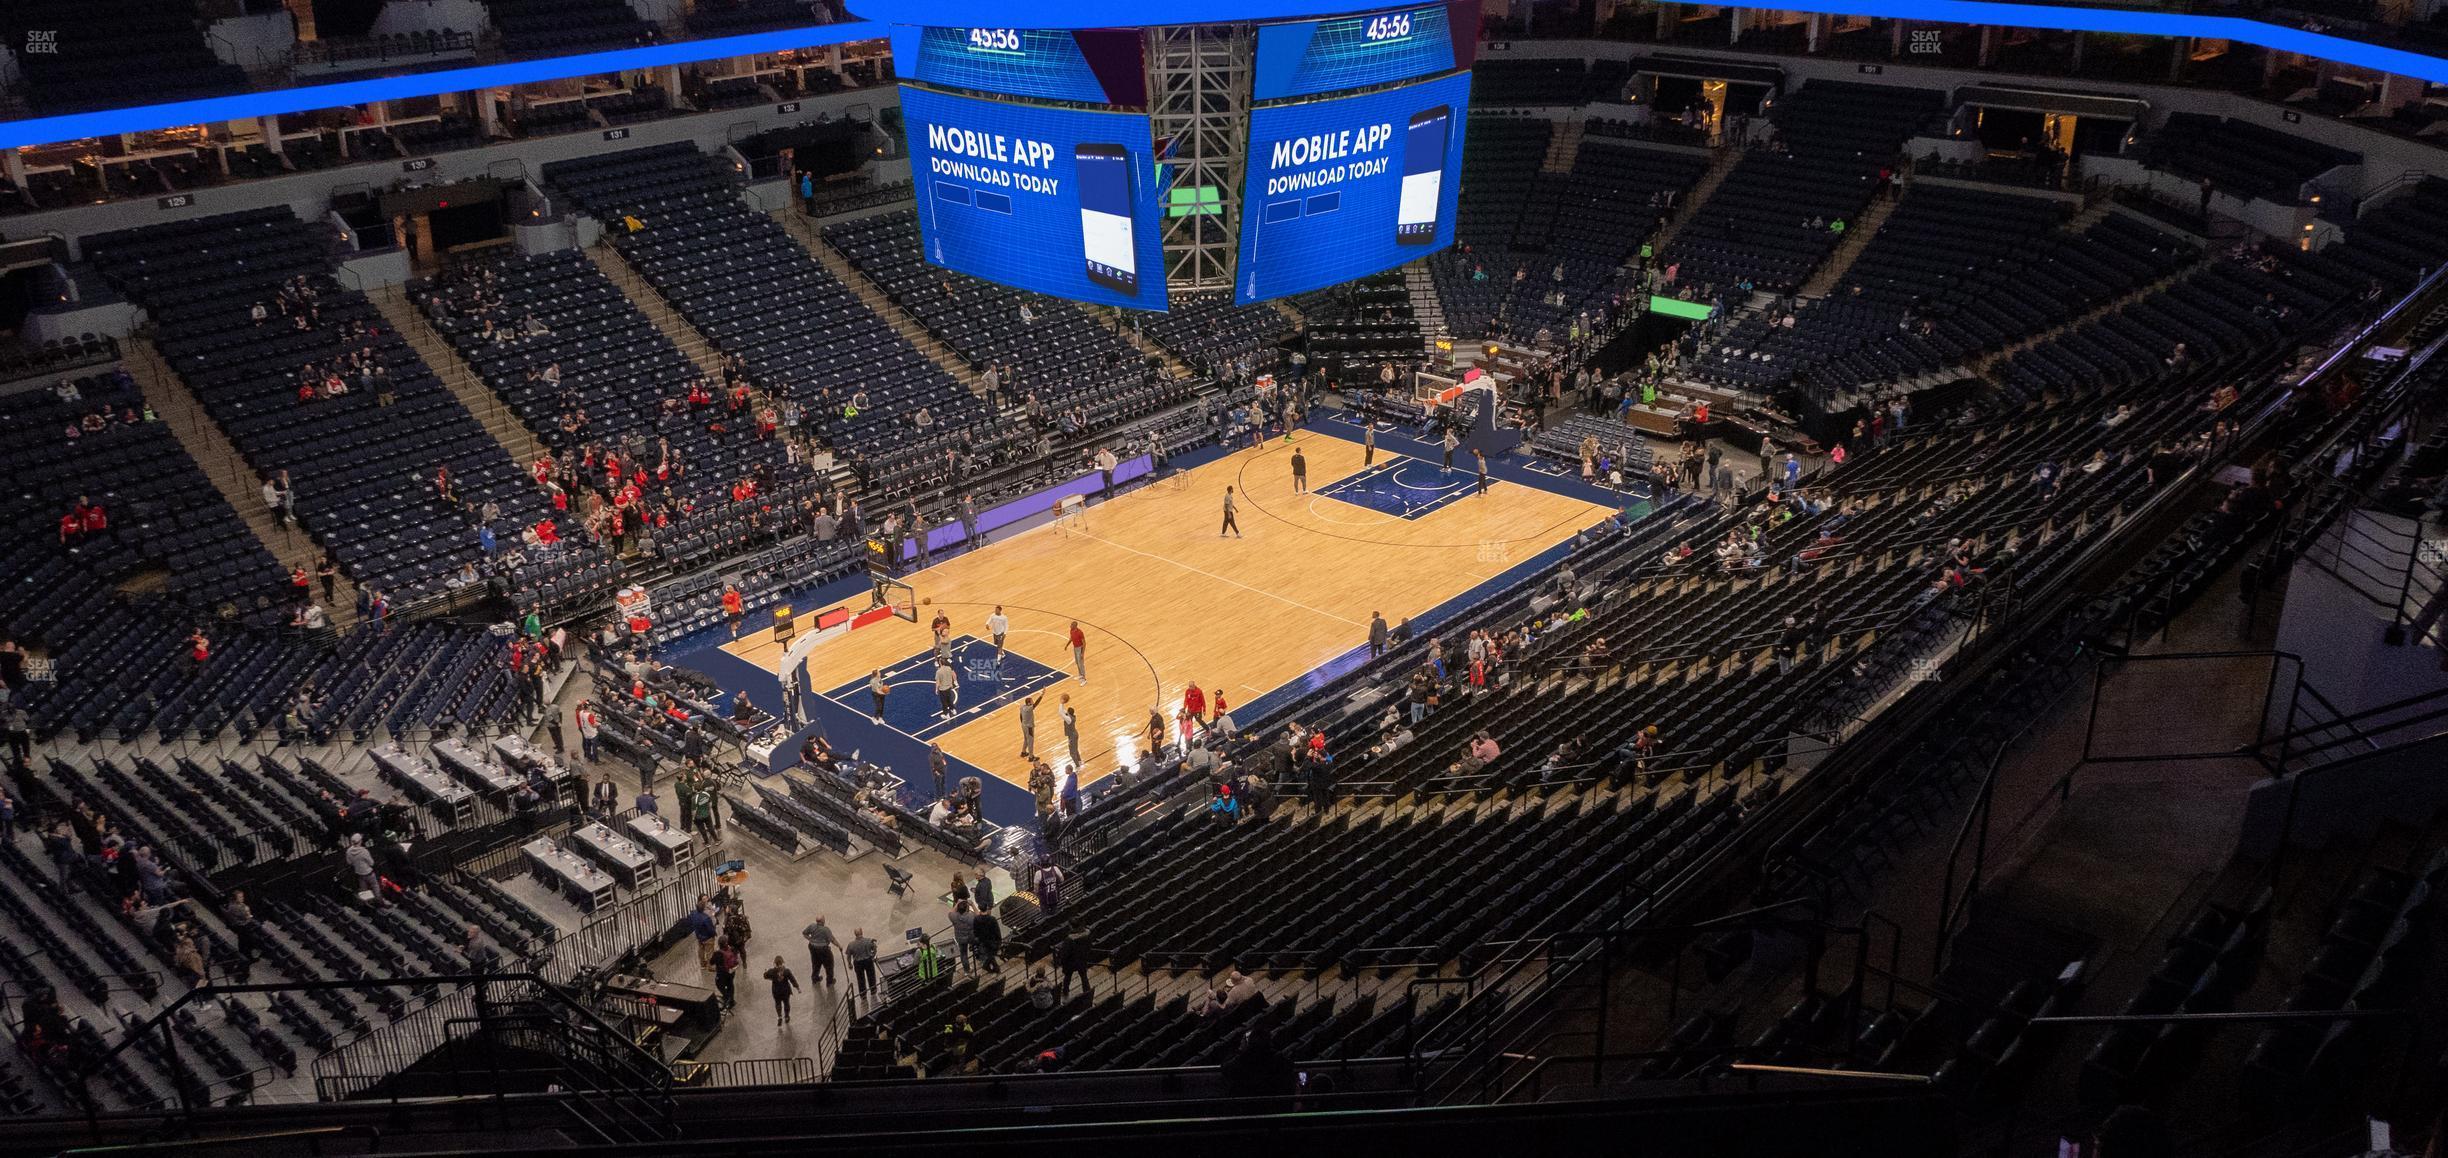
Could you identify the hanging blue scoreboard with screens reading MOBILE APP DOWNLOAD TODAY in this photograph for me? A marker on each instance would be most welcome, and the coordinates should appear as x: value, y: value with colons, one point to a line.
x: 1321, y: 151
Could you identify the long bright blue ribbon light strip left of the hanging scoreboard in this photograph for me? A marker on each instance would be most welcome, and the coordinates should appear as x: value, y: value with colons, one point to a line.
x: 239, y: 106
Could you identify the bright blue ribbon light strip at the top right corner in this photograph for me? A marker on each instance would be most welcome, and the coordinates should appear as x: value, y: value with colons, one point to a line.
x: 2136, y: 23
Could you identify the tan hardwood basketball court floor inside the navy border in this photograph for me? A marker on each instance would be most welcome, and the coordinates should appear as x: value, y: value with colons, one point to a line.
x: 1164, y: 601
